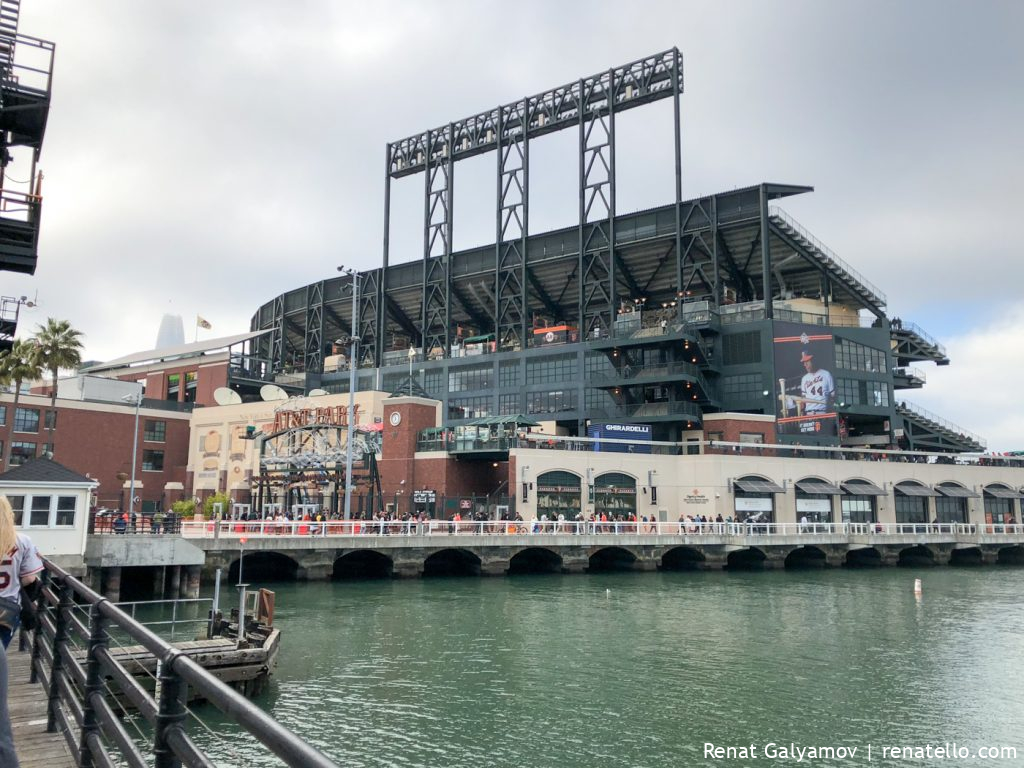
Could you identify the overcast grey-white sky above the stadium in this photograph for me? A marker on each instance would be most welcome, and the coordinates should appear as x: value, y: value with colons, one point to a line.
x: 202, y: 158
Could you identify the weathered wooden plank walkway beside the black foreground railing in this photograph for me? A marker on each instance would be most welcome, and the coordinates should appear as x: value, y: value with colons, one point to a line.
x: 36, y: 748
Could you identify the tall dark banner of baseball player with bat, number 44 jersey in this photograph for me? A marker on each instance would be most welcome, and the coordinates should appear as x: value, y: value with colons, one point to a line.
x: 805, y: 389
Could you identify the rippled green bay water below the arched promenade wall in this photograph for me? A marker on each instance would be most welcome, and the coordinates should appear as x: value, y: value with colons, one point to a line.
x: 644, y: 669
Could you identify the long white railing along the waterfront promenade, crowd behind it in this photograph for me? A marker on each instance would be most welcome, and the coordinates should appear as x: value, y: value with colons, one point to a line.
x: 234, y: 531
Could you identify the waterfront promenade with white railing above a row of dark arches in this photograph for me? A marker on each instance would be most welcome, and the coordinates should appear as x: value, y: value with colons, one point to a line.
x: 497, y: 547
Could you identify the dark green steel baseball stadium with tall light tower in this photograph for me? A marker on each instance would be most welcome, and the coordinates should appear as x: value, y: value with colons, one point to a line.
x: 720, y: 305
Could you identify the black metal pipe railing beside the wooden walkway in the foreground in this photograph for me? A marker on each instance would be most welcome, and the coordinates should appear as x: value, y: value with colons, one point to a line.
x: 79, y: 705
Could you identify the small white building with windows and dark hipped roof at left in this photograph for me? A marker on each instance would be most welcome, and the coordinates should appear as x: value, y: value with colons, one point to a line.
x: 52, y: 504
